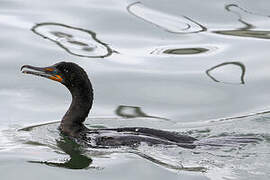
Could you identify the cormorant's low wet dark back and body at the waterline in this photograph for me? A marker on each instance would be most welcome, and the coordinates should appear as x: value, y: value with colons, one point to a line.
x: 133, y: 137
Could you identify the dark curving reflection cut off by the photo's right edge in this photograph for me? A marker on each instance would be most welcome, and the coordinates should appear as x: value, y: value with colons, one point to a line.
x: 247, y: 30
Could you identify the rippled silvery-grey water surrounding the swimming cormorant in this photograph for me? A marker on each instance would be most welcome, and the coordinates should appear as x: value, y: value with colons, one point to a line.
x: 200, y: 68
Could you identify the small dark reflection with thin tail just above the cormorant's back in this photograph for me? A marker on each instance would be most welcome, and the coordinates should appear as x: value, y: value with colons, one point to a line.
x: 134, y: 112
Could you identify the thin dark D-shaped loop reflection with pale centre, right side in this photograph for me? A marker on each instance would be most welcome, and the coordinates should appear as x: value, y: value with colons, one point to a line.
x: 239, y: 64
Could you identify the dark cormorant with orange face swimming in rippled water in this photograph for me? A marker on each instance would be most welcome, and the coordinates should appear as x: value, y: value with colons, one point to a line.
x: 76, y: 80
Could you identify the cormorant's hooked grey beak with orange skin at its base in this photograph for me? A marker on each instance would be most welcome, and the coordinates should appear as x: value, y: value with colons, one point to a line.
x: 48, y: 72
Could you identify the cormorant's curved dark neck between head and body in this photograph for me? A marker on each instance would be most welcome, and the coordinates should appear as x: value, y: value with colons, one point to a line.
x: 82, y: 99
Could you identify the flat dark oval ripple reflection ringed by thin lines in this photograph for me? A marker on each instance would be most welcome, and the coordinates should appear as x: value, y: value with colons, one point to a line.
x: 179, y: 51
